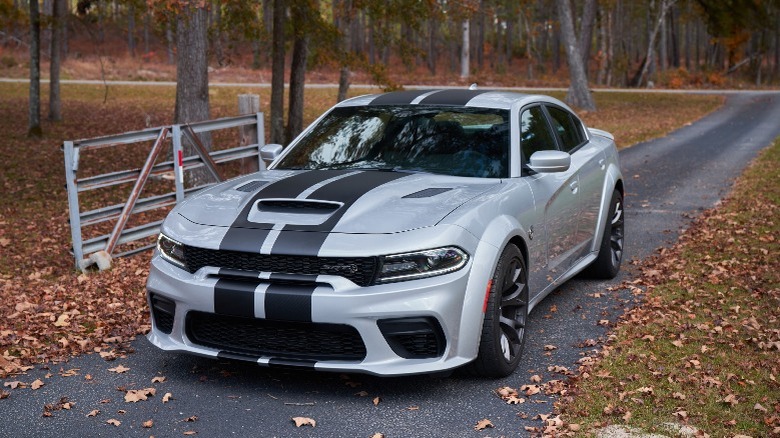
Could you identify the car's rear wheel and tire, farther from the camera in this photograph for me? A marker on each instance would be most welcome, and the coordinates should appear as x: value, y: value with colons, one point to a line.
x: 607, y: 264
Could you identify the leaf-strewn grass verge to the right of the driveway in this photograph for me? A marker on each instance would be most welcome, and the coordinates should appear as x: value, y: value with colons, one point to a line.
x: 703, y: 348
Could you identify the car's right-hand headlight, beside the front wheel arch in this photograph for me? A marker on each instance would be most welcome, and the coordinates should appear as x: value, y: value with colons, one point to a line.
x: 420, y: 264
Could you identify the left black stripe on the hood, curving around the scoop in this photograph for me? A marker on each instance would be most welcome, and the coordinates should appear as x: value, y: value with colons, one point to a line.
x: 248, y: 236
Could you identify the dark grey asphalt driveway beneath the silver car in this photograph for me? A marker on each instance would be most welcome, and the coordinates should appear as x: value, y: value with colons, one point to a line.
x: 667, y: 181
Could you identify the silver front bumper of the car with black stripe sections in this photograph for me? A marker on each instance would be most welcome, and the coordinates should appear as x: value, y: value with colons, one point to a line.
x: 447, y: 308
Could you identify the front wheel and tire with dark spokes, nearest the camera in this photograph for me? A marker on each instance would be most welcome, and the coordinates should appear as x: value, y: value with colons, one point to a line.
x: 506, y: 314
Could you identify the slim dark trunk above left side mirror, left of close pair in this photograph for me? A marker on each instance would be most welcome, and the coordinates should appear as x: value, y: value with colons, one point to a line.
x: 277, y: 73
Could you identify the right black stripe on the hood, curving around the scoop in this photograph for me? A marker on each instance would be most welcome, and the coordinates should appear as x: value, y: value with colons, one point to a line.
x: 307, y: 239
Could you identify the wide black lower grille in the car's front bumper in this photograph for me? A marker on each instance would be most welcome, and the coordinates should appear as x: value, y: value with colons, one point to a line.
x: 260, y: 337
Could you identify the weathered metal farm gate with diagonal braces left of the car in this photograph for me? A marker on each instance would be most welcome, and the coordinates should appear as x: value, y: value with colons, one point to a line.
x: 166, y: 138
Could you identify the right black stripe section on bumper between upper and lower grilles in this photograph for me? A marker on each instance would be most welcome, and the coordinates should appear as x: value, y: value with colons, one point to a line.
x: 289, y: 302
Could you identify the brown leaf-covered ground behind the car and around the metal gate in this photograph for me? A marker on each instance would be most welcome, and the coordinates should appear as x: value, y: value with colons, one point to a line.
x: 48, y: 312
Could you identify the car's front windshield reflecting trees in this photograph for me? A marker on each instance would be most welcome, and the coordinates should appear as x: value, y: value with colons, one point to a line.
x: 470, y: 142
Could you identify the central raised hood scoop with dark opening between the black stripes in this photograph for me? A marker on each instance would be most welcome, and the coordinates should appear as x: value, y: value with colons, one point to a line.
x: 292, y: 211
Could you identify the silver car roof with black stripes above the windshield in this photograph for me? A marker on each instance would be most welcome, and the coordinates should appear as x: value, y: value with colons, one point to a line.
x: 455, y: 97
